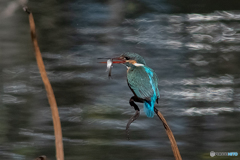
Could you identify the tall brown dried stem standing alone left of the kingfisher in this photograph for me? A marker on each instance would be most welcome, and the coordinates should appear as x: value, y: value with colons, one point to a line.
x: 48, y: 87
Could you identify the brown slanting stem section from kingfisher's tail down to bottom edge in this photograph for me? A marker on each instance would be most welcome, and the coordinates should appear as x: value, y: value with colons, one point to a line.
x: 170, y: 135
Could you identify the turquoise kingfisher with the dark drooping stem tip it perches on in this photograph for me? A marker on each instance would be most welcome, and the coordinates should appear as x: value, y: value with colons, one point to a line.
x: 142, y: 81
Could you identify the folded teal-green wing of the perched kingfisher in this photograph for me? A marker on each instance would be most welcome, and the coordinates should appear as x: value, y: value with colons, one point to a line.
x: 139, y: 82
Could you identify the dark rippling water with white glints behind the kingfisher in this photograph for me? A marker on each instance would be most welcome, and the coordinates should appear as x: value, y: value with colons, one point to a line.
x: 192, y: 47
